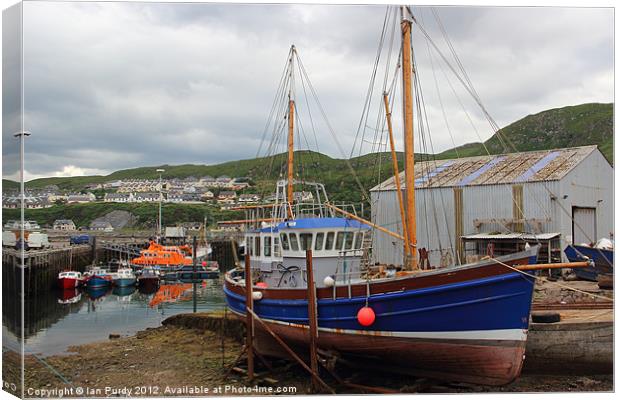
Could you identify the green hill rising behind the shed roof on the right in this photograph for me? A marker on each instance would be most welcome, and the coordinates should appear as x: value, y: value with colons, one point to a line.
x: 571, y: 126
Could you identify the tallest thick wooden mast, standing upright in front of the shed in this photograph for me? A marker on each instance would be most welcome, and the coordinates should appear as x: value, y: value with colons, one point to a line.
x: 409, y: 148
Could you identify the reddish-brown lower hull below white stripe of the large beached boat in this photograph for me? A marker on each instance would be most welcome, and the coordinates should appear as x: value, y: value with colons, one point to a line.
x: 496, y: 362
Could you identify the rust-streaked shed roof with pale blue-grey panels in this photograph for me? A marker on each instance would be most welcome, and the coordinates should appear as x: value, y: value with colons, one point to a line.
x: 531, y: 166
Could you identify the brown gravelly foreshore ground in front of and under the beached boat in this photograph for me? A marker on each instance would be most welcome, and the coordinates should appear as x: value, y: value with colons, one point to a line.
x: 171, y: 360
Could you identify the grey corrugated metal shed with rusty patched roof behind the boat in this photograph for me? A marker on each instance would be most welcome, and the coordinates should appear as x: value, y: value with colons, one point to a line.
x: 528, y: 193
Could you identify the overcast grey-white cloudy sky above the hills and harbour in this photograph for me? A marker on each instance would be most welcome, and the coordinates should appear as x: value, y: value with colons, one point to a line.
x: 116, y: 85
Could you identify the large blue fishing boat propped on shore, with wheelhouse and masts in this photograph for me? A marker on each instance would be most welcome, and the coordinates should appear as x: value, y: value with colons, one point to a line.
x: 466, y: 322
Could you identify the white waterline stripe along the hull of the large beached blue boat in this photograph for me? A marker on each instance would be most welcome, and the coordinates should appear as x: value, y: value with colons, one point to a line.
x: 495, y: 334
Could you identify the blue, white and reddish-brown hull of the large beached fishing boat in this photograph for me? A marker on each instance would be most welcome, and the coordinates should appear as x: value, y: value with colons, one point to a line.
x: 473, y: 329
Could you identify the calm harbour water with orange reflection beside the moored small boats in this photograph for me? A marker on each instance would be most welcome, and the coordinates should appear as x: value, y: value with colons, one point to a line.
x: 56, y: 319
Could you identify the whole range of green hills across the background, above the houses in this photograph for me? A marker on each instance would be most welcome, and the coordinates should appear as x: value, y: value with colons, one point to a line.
x: 561, y: 127
